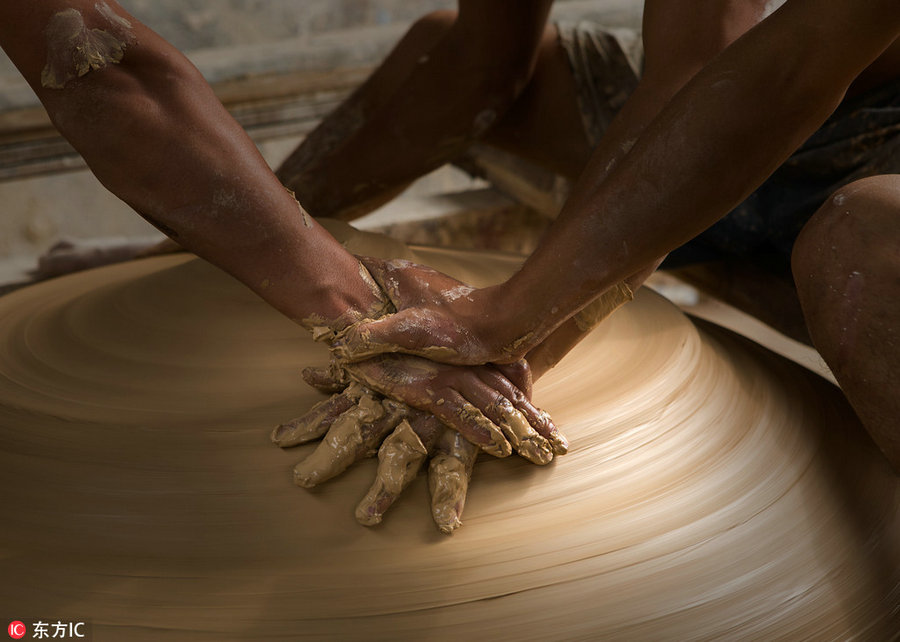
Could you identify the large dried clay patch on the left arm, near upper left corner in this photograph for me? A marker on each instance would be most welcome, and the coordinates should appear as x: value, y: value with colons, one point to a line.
x: 73, y: 49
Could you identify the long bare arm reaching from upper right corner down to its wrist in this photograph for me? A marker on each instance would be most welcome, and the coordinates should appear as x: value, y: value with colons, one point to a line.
x: 720, y: 137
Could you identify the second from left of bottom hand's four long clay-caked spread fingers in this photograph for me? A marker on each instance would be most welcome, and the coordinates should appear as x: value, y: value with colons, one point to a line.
x: 353, y: 436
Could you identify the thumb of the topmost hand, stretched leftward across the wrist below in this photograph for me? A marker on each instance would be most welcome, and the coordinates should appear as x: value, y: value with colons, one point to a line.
x: 411, y: 331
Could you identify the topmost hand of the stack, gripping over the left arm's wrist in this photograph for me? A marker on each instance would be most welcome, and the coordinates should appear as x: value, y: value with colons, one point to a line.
x: 436, y: 317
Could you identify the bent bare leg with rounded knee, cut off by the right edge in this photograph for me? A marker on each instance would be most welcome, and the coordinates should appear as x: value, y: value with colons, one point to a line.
x: 847, y: 267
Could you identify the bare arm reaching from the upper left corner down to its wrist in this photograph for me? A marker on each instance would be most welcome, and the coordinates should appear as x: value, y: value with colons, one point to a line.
x: 152, y: 131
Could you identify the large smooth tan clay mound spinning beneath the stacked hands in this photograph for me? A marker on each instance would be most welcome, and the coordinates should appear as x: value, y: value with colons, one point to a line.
x: 712, y: 489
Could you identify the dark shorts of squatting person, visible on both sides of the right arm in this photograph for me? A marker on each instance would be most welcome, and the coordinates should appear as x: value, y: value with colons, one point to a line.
x: 861, y: 138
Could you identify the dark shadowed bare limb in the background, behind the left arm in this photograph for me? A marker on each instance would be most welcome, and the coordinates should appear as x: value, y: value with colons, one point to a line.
x: 440, y: 89
